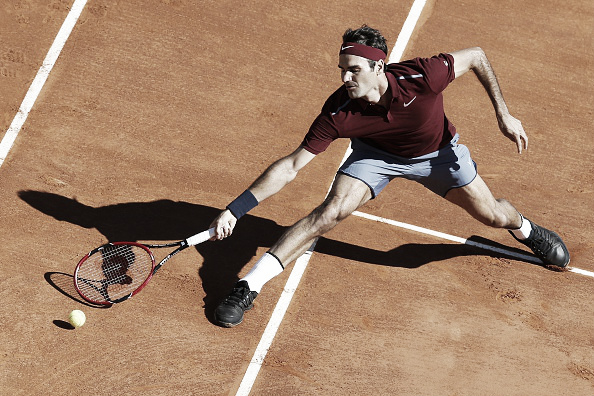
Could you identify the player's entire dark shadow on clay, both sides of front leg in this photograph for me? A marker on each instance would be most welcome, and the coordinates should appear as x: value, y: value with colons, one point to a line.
x: 167, y: 220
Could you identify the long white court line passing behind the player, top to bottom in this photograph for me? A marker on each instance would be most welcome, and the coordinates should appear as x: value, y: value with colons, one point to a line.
x: 301, y: 263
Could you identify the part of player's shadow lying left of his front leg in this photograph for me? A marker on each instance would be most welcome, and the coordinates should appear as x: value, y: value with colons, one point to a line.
x: 162, y: 220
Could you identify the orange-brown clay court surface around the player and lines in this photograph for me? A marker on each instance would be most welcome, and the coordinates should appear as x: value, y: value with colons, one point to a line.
x: 158, y: 113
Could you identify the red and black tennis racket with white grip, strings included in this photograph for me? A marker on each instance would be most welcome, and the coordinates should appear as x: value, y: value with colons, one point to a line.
x: 116, y: 271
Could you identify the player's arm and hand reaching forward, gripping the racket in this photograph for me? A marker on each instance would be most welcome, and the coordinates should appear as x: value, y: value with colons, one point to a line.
x: 274, y: 178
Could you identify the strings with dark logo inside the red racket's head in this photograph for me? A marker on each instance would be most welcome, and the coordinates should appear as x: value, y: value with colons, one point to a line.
x: 113, y: 272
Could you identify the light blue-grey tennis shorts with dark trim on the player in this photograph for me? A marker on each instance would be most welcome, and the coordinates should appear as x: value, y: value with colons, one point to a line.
x: 439, y: 171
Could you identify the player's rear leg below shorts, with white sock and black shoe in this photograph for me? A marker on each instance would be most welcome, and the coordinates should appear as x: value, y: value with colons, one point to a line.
x: 478, y: 201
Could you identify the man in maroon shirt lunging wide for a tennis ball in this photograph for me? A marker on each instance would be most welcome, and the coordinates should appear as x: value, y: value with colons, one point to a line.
x: 394, y: 116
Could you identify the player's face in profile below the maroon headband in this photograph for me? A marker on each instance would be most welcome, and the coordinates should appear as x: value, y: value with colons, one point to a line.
x: 360, y: 80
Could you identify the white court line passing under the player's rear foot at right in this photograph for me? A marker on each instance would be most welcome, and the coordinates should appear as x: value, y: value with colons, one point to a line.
x: 463, y: 241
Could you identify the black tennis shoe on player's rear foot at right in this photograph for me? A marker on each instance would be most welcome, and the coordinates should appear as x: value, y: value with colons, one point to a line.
x: 546, y: 245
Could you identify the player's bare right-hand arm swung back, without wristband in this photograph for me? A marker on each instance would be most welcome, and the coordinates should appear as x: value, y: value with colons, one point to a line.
x: 476, y: 60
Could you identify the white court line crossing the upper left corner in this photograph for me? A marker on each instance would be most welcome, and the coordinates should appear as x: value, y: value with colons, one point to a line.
x: 40, y: 79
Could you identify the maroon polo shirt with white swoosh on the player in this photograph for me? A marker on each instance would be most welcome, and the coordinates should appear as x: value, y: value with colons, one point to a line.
x: 414, y: 125
